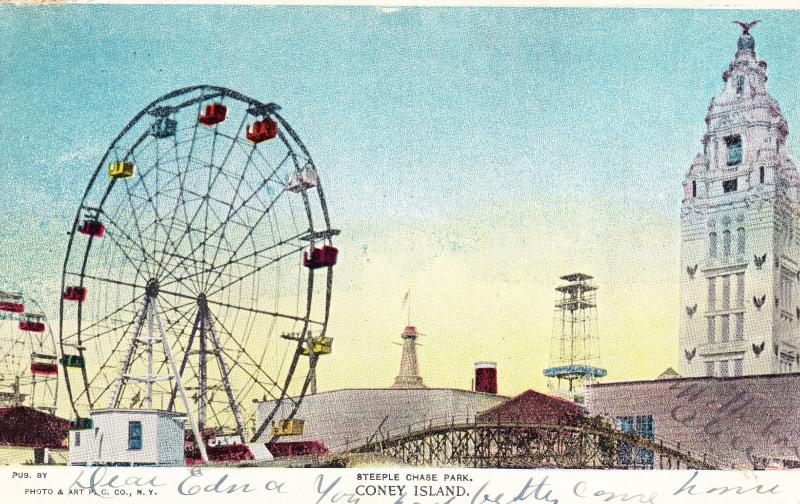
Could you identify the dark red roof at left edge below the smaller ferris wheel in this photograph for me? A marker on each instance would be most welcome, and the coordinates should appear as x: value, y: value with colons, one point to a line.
x: 24, y: 426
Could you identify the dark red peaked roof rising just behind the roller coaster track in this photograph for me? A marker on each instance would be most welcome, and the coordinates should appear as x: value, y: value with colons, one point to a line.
x: 533, y: 407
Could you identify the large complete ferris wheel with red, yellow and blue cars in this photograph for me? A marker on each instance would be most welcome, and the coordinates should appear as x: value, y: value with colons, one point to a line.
x: 199, y: 267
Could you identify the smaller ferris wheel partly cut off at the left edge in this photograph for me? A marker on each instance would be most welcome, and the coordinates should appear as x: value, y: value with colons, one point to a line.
x: 28, y: 360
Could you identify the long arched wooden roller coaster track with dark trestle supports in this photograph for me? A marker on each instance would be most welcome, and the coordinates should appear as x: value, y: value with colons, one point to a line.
x: 588, y: 444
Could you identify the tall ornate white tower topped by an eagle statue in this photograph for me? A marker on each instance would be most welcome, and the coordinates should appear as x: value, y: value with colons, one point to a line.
x: 740, y: 251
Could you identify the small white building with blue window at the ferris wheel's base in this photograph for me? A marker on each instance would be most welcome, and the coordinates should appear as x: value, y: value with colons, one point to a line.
x: 130, y: 437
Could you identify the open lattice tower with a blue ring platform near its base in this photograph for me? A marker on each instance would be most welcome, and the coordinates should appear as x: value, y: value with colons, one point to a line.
x: 573, y: 348
